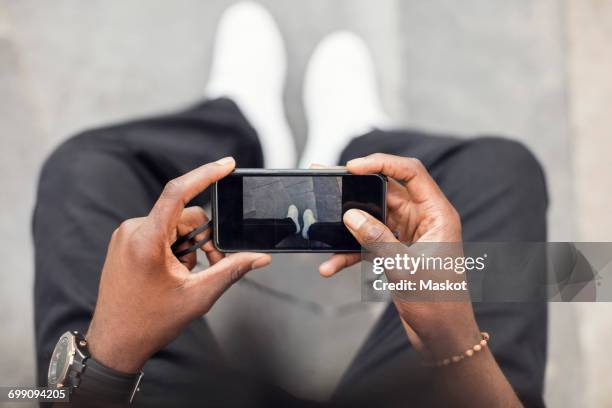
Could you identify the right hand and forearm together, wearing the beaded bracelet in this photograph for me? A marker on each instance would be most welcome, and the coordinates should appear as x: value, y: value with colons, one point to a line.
x: 419, y: 212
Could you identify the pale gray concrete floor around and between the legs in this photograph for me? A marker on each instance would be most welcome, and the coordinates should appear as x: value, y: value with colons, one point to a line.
x: 534, y: 71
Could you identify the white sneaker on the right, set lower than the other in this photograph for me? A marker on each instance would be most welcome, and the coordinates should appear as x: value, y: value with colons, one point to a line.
x: 341, y: 98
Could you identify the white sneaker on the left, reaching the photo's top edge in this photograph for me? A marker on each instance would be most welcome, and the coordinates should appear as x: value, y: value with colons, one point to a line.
x: 249, y: 66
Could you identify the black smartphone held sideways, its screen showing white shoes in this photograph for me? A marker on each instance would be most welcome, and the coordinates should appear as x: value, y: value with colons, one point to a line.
x: 292, y: 210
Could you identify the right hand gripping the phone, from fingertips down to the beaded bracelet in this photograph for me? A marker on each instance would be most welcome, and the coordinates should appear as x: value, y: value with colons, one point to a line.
x: 418, y: 211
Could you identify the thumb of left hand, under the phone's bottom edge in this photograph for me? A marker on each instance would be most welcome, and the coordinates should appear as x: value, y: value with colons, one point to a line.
x: 209, y: 284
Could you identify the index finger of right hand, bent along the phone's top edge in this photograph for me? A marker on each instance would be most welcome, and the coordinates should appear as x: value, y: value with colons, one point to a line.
x: 410, y: 171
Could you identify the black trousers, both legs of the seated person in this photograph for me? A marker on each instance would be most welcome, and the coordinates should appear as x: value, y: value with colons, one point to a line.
x: 97, y: 179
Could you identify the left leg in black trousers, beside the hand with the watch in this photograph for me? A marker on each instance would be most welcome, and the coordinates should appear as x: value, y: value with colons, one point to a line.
x: 90, y: 185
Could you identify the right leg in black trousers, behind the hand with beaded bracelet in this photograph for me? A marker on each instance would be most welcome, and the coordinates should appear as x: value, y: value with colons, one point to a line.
x: 498, y: 188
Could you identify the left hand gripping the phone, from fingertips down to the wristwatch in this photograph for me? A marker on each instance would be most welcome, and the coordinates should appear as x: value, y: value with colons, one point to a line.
x: 147, y: 296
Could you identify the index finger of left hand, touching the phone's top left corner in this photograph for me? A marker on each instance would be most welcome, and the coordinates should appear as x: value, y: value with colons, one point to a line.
x: 178, y: 192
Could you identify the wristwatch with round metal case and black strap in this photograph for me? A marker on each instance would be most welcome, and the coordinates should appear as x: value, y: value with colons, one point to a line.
x: 72, y: 367
